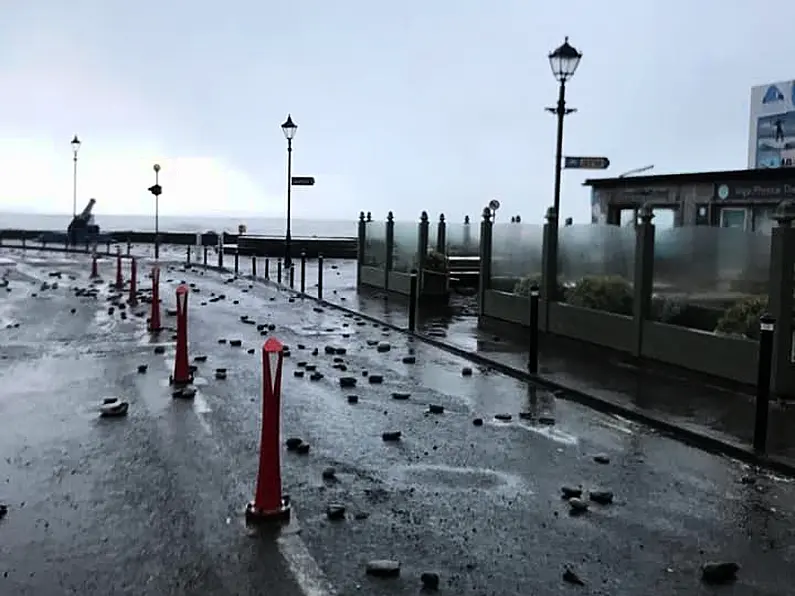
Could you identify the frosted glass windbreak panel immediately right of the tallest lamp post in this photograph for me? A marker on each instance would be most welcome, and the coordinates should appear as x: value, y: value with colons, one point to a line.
x: 596, y: 250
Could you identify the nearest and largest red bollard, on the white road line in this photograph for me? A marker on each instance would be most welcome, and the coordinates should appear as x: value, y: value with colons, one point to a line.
x: 269, y: 504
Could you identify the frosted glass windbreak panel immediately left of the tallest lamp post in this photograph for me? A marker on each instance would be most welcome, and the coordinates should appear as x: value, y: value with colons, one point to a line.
x: 516, y: 256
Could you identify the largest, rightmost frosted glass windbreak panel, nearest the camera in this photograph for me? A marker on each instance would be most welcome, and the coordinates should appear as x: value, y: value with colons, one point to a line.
x: 702, y: 271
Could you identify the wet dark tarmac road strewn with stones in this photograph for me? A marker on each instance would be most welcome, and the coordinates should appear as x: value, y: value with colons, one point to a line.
x: 152, y: 504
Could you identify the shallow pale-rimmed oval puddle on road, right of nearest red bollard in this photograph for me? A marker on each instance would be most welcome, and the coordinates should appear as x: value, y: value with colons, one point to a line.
x: 453, y: 478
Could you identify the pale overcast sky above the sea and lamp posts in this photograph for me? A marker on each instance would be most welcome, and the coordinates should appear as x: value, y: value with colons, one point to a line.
x: 411, y: 105
